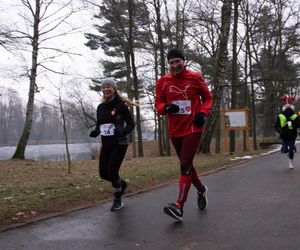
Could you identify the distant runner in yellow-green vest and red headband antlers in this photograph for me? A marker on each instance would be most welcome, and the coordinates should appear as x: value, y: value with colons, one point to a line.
x: 286, y: 125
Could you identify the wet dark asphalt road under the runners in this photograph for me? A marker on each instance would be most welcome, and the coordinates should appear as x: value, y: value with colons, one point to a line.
x: 255, y: 205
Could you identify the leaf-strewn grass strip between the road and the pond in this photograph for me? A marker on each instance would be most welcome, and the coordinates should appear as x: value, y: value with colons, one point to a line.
x: 33, y: 188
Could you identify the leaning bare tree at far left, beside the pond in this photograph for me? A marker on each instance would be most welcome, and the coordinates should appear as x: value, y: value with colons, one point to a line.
x: 43, y: 18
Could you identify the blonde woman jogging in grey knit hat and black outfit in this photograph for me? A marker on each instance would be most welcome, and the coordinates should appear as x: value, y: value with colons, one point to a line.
x: 114, y: 123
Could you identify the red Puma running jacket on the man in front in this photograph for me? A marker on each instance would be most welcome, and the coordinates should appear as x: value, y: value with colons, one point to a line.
x: 188, y: 90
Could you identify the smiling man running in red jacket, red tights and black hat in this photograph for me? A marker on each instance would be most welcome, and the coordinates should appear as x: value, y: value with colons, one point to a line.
x: 184, y: 97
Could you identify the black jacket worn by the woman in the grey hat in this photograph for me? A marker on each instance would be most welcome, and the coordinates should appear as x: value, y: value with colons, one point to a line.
x: 114, y: 121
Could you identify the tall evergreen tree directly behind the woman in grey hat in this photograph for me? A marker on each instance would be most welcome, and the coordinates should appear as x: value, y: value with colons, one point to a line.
x: 121, y: 32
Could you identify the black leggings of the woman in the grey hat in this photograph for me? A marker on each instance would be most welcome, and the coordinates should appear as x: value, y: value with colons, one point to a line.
x: 110, y: 160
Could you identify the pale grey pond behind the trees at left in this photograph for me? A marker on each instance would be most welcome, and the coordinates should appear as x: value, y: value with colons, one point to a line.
x: 53, y: 152
